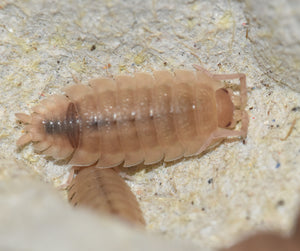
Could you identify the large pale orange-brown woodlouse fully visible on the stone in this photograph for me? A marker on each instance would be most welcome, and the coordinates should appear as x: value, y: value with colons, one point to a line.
x: 144, y: 118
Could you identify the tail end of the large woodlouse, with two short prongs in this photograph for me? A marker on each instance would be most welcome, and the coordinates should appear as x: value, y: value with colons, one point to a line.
x: 46, y: 127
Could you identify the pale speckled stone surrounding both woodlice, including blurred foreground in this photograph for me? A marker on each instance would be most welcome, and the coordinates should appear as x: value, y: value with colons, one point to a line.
x: 209, y: 201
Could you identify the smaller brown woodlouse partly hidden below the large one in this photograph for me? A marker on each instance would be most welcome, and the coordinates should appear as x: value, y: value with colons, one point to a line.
x: 105, y: 191
